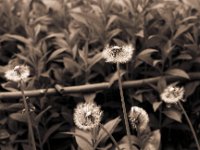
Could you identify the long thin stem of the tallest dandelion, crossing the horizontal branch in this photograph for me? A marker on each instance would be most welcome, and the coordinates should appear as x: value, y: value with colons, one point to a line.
x: 128, y: 132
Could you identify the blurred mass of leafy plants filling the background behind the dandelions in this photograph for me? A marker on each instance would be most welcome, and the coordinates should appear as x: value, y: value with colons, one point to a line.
x: 62, y: 40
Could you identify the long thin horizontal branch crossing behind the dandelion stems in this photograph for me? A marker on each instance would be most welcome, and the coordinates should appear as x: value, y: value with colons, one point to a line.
x: 95, y: 87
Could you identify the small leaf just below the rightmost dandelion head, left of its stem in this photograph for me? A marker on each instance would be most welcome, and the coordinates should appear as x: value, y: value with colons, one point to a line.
x: 173, y: 114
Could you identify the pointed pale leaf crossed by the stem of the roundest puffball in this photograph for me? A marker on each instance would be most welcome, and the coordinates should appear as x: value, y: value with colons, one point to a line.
x: 110, y: 126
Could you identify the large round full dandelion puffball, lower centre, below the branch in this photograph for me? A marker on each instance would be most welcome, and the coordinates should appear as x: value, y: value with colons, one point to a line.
x: 87, y: 116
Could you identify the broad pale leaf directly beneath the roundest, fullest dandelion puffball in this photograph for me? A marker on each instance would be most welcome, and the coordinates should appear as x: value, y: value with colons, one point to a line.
x: 83, y: 143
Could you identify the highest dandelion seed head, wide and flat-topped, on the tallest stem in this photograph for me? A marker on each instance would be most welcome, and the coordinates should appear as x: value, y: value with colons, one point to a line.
x: 117, y: 54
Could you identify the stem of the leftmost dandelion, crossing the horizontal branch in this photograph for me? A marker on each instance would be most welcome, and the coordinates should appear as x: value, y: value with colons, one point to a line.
x: 30, y: 129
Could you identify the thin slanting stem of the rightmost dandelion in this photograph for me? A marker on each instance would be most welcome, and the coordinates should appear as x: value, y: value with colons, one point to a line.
x: 190, y: 124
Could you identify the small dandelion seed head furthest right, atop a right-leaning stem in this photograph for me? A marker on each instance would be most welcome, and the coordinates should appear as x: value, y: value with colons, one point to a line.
x: 172, y: 94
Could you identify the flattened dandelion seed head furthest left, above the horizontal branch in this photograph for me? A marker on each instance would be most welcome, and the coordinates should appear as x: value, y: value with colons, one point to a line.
x: 18, y: 73
